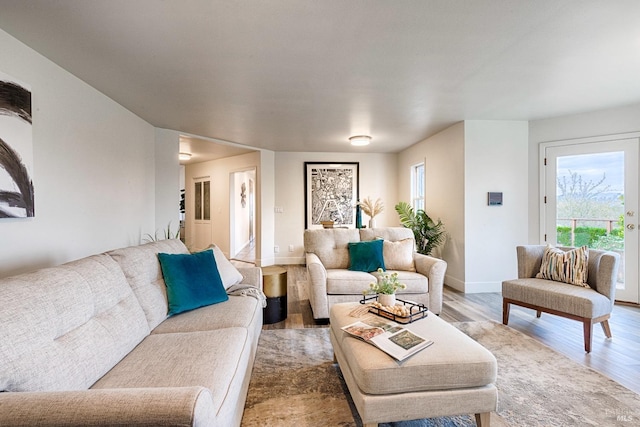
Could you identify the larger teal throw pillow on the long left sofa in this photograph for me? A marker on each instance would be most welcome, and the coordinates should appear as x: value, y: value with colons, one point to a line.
x: 192, y: 280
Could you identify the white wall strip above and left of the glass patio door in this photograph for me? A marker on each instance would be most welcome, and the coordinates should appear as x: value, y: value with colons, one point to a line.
x: 604, y: 122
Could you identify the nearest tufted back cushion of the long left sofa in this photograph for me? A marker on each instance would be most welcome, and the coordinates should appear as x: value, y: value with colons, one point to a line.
x: 63, y: 328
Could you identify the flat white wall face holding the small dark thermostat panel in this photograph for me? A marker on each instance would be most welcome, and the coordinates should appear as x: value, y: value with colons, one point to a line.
x: 495, y: 161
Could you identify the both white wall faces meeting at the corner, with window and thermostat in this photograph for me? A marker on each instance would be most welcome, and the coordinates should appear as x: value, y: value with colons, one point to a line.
x: 462, y: 164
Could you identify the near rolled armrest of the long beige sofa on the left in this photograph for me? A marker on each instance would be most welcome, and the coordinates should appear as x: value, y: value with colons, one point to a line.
x: 166, y: 406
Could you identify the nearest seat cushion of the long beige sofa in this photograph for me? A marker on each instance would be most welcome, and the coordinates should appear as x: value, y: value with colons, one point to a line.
x: 217, y: 360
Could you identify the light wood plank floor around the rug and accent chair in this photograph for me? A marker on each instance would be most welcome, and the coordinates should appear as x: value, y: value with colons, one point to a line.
x: 618, y: 358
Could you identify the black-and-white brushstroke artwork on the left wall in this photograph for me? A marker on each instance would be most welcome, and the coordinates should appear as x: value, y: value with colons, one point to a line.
x: 16, y: 150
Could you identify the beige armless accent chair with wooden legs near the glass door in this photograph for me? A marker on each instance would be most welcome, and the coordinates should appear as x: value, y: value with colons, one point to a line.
x: 589, y: 305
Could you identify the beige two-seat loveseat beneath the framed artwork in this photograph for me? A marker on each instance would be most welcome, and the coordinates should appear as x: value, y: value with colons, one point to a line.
x: 331, y: 281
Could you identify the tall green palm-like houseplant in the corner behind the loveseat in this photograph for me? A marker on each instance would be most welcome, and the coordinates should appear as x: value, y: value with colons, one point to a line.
x: 428, y: 234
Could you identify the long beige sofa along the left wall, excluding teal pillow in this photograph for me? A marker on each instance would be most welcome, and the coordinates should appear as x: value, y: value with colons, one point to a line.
x: 89, y: 343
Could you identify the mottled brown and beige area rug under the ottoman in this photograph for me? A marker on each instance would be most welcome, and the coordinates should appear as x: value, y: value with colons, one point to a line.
x: 295, y: 382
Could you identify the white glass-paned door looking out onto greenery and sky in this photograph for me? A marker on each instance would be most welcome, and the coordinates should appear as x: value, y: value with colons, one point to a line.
x: 591, y: 198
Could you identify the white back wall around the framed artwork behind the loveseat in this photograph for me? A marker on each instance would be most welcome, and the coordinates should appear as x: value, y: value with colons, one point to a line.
x: 378, y: 174
